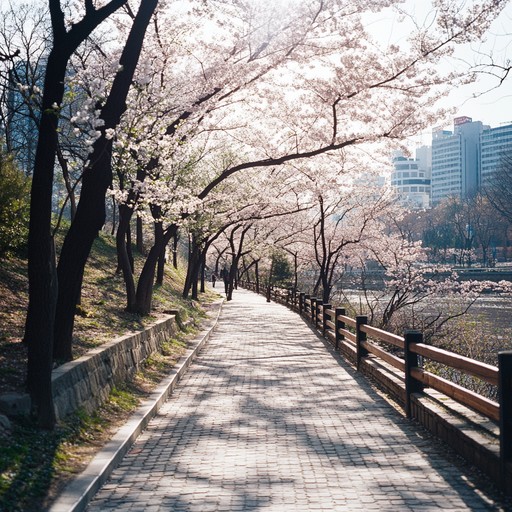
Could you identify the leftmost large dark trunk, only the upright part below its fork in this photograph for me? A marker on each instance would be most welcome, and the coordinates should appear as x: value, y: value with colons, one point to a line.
x: 43, y: 282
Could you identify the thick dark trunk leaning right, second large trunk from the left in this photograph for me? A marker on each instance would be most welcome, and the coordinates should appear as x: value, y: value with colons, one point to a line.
x: 97, y: 178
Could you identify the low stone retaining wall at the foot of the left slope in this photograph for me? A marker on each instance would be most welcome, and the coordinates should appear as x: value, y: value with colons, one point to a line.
x: 87, y: 381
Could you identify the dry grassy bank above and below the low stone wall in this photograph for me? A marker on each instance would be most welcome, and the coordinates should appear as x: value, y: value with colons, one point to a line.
x: 35, y: 464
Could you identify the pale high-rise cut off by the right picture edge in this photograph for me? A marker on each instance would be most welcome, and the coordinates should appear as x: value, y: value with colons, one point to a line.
x: 494, y: 143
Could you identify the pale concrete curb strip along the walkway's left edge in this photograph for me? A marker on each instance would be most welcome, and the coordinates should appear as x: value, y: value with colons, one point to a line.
x: 81, y: 490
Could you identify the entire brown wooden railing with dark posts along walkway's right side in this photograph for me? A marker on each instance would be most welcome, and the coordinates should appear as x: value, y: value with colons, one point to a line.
x: 407, y: 354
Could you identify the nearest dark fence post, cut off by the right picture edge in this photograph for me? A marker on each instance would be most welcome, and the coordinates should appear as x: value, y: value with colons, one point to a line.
x: 505, y: 399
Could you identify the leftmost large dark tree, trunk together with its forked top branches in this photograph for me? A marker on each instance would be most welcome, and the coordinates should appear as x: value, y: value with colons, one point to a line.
x: 42, y: 272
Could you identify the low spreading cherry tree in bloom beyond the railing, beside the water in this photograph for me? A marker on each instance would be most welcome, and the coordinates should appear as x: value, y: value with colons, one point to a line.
x: 412, y: 293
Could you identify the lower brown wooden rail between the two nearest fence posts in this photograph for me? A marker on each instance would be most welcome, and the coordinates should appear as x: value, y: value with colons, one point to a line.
x: 459, y: 393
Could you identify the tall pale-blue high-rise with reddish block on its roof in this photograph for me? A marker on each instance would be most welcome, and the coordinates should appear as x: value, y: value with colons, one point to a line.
x: 456, y: 160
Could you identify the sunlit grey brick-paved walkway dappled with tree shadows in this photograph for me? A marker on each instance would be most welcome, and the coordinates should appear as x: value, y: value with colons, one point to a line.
x: 267, y: 418
